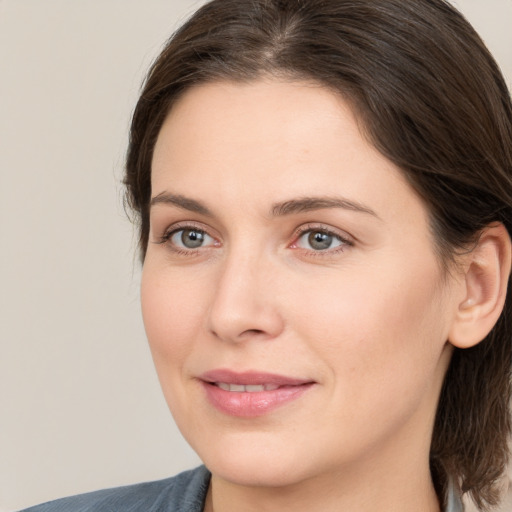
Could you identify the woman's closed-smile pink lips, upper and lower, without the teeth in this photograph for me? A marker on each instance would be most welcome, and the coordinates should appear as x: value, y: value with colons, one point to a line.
x: 256, y: 403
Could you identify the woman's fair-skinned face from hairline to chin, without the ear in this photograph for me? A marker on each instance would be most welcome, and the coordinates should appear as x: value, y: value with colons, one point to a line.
x: 295, y: 309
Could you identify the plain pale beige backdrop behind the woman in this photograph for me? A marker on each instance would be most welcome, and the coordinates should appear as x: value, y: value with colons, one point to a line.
x: 80, y: 405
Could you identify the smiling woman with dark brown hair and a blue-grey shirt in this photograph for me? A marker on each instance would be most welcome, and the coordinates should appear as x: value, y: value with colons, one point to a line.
x: 324, y: 190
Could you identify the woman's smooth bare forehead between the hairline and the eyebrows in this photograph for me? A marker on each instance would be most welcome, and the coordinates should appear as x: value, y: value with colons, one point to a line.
x: 271, y: 140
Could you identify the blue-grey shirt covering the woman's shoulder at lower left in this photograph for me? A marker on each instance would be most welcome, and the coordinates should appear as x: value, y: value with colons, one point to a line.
x: 185, y: 492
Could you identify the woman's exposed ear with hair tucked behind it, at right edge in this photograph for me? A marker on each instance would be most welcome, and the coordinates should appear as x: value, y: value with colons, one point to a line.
x: 485, y: 280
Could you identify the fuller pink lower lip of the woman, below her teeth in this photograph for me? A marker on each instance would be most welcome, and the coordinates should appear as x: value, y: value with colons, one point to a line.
x: 249, y: 405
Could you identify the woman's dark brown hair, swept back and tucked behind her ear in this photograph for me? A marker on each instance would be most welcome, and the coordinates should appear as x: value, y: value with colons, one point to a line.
x: 430, y: 98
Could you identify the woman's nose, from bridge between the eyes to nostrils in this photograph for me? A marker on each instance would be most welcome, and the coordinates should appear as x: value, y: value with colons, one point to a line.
x: 245, y: 303
